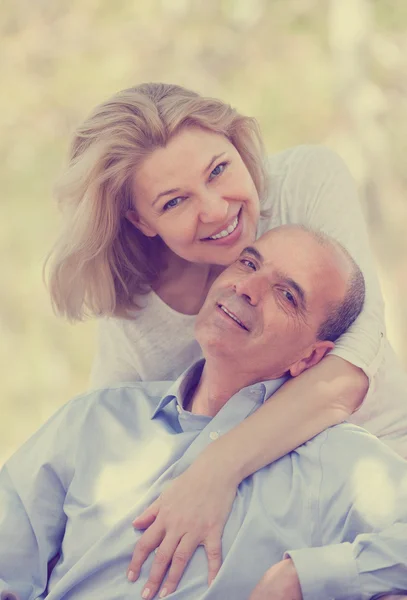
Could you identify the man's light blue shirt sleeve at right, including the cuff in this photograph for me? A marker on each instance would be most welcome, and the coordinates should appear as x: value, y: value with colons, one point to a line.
x: 362, y: 525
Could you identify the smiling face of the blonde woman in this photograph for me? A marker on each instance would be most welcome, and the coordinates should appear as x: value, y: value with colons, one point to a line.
x: 198, y: 196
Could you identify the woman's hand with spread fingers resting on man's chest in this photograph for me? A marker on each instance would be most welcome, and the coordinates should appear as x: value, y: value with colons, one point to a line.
x: 191, y: 512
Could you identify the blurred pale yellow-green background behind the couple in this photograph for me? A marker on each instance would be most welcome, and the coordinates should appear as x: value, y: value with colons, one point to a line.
x: 325, y: 71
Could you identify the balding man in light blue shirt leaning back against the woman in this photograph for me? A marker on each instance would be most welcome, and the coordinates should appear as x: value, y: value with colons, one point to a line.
x: 337, y: 505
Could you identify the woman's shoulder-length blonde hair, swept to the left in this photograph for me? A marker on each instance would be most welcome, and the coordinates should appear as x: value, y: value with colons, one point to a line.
x: 101, y: 262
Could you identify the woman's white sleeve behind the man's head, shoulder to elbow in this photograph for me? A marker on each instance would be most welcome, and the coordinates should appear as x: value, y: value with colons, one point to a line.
x: 325, y: 198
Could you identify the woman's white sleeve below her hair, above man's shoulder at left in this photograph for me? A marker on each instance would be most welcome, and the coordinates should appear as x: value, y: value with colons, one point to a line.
x: 114, y: 360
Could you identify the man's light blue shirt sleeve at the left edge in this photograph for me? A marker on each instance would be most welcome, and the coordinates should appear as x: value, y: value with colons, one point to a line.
x: 33, y: 484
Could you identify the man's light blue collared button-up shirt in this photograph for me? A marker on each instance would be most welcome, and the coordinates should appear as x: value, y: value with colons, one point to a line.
x: 337, y: 505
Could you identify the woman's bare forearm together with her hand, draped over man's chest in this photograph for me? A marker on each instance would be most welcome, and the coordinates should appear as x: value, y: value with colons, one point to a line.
x: 303, y: 407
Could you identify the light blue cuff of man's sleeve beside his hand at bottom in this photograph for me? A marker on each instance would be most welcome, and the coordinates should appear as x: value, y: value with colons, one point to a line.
x: 327, y: 572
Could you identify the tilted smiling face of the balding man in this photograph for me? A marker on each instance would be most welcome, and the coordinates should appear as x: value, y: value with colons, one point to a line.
x: 263, y: 313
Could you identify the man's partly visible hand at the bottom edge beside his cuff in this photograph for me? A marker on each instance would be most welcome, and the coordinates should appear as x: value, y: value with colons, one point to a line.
x: 280, y: 582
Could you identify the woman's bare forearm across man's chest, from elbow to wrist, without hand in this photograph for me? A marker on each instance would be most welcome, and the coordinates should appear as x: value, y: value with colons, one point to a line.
x: 325, y: 395
